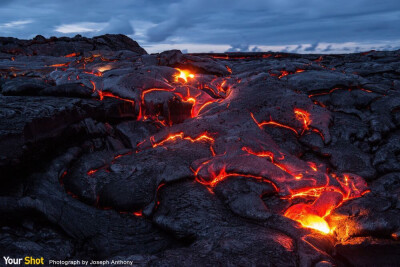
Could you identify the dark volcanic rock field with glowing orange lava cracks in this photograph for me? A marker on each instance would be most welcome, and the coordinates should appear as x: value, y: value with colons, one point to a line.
x: 250, y: 159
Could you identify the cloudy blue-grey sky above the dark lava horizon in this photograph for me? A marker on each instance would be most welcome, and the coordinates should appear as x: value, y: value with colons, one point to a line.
x: 304, y: 26
